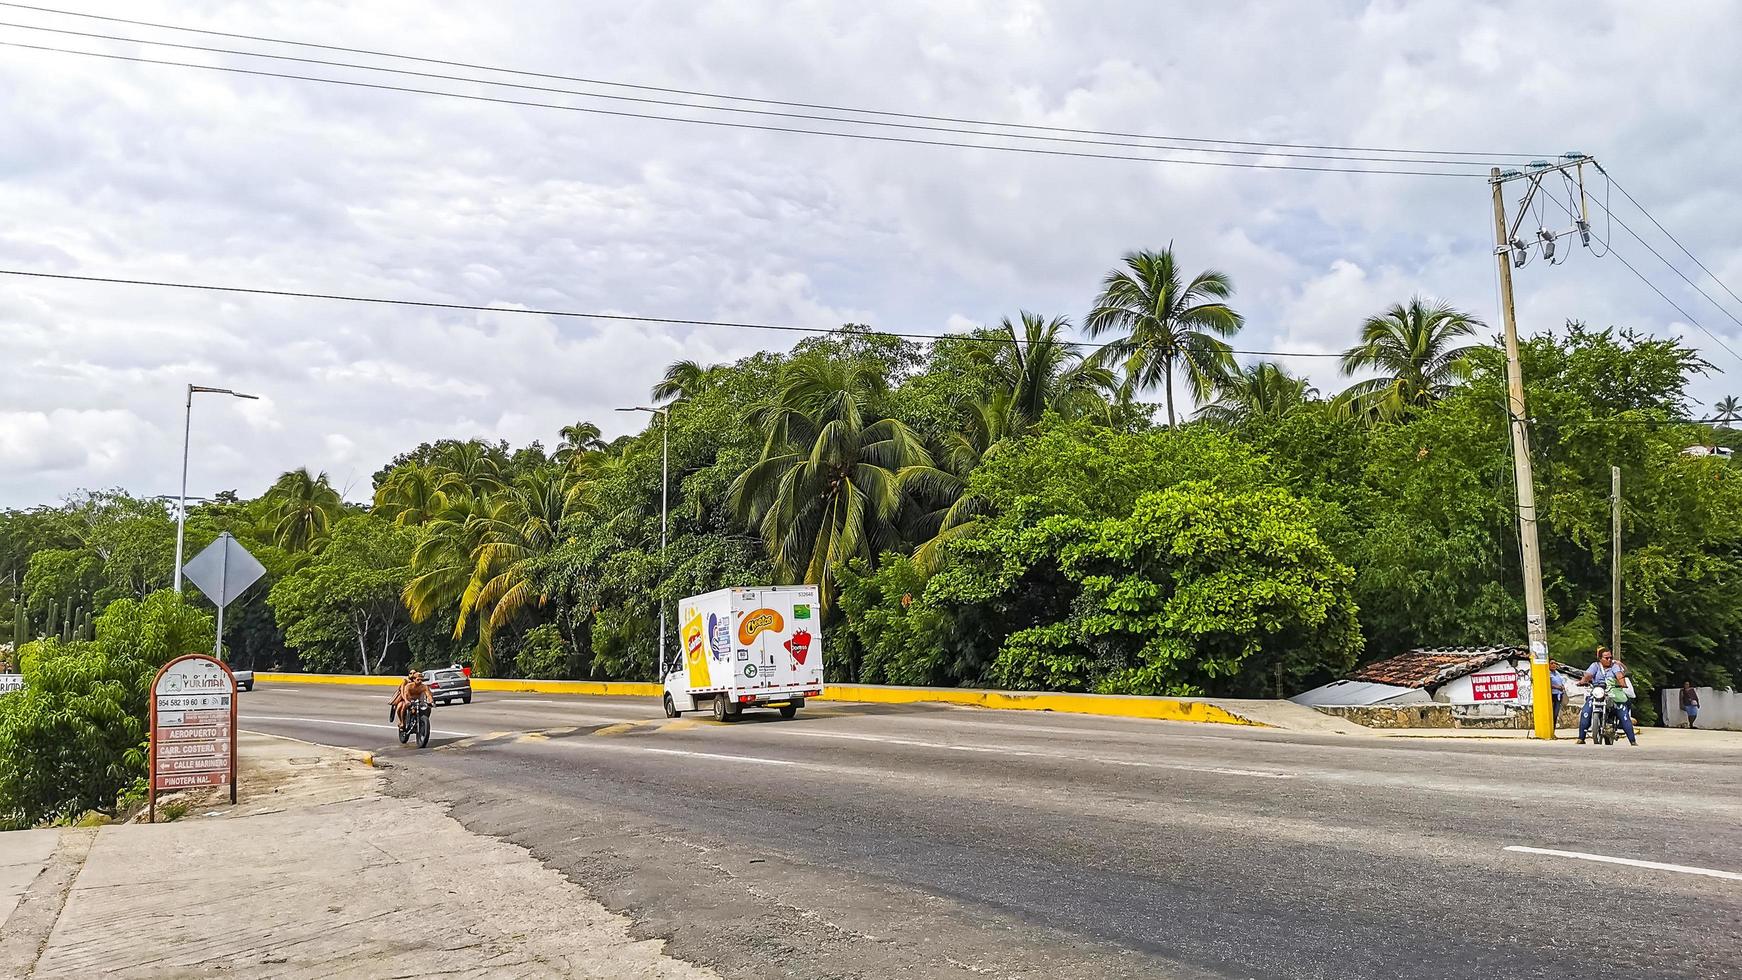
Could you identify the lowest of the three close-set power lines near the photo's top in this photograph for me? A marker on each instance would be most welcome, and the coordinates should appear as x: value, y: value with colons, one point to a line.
x: 724, y: 124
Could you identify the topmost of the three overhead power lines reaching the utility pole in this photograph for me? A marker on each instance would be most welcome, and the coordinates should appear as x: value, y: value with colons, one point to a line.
x: 692, y: 93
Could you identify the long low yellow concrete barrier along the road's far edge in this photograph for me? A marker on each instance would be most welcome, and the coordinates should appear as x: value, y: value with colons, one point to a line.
x: 1114, y: 706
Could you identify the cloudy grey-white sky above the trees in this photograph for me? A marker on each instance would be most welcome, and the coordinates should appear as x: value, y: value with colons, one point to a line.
x: 145, y: 171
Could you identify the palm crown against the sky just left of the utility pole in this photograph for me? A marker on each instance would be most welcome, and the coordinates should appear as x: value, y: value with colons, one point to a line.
x: 1412, y: 346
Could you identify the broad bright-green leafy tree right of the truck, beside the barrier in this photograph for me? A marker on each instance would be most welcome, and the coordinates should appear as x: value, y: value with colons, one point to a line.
x: 1198, y: 593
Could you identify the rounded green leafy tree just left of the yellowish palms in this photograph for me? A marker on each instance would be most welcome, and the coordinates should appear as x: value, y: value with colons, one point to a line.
x: 344, y: 608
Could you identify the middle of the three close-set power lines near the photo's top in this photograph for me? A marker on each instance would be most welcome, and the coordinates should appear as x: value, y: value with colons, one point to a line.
x: 813, y: 117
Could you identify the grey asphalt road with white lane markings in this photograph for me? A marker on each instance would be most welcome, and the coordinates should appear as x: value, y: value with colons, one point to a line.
x: 928, y: 842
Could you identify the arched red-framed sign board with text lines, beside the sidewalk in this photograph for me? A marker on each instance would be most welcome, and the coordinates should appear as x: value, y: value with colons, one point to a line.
x: 192, y: 727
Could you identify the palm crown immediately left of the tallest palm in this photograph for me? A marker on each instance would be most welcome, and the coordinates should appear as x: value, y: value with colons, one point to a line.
x: 1039, y: 370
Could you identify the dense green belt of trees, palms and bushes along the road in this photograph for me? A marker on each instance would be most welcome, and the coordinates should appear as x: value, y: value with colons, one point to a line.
x: 1144, y: 513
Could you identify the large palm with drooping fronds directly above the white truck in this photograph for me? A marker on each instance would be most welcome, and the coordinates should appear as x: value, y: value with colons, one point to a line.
x: 828, y: 485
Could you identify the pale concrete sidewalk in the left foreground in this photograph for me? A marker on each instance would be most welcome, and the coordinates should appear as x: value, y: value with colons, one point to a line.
x: 314, y: 875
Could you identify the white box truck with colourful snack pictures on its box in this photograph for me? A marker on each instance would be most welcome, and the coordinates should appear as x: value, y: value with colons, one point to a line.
x: 745, y: 648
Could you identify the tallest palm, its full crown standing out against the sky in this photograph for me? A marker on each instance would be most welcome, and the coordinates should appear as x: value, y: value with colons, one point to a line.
x: 1166, y: 325
